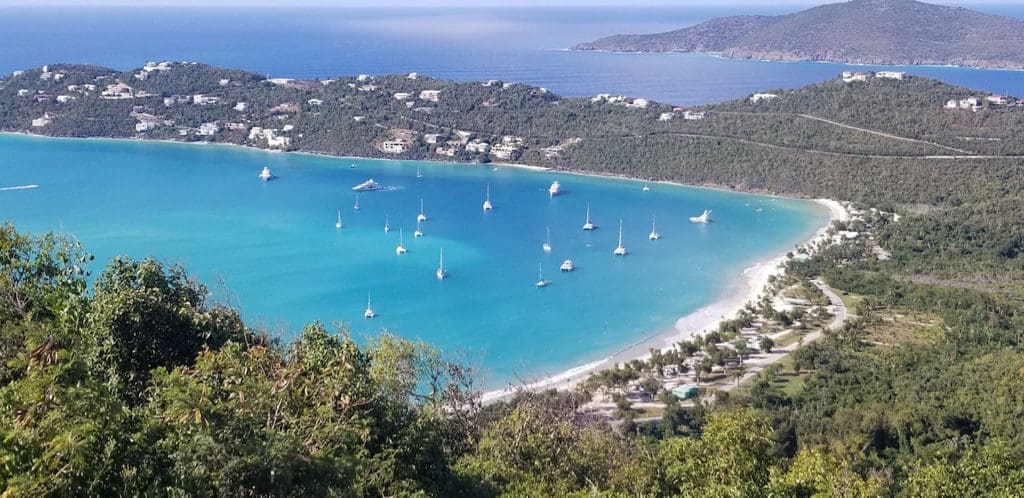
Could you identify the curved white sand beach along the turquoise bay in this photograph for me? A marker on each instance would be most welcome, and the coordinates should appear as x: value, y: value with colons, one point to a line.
x: 747, y: 287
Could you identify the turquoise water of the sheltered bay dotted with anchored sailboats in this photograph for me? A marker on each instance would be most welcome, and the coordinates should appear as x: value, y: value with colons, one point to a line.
x: 276, y: 248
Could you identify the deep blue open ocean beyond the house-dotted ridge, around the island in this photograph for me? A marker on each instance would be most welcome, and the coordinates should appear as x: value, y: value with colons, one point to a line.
x: 511, y: 45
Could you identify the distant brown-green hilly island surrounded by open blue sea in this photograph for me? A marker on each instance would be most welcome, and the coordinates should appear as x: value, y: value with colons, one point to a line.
x: 869, y: 32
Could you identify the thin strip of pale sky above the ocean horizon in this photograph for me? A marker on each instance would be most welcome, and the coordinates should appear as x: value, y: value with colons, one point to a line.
x: 437, y: 4
